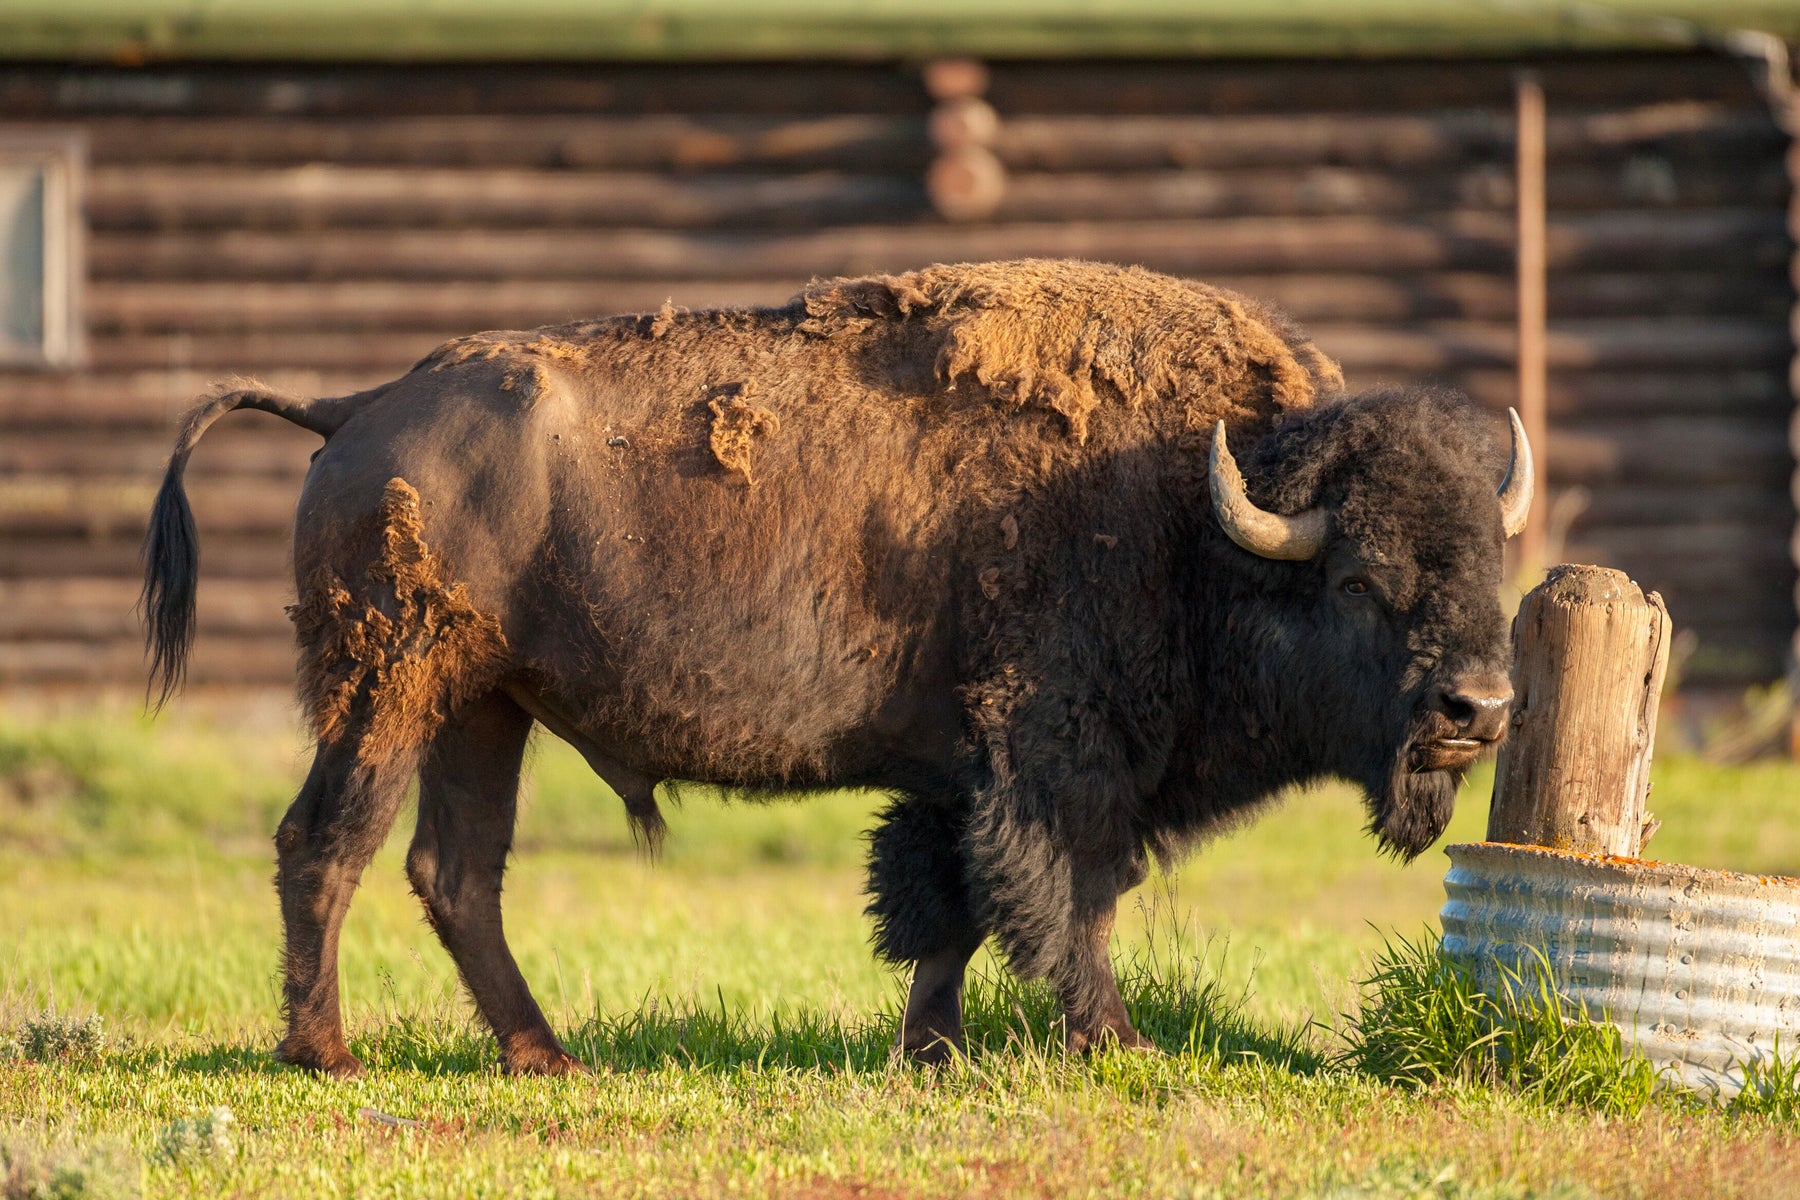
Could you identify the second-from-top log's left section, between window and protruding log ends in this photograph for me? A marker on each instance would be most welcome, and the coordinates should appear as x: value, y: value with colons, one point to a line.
x: 649, y: 143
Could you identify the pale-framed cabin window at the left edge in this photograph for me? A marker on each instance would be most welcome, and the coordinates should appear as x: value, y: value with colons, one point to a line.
x: 40, y: 249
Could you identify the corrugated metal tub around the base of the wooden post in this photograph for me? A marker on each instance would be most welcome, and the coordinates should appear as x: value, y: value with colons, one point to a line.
x: 1698, y: 969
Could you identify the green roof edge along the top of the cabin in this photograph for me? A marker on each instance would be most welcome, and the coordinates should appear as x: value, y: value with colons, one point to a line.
x: 130, y: 31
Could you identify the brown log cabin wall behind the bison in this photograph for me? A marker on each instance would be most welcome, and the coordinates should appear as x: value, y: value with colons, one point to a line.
x: 325, y: 228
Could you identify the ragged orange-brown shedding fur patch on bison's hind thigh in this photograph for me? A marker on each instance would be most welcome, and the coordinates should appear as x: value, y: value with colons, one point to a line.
x: 400, y: 649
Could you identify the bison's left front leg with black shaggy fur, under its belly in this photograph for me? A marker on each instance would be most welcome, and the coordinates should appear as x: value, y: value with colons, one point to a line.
x: 921, y: 908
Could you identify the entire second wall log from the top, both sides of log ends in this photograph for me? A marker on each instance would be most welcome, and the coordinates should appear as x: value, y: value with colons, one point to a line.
x: 883, y: 141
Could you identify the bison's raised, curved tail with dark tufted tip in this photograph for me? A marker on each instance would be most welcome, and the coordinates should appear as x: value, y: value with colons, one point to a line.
x: 172, y: 551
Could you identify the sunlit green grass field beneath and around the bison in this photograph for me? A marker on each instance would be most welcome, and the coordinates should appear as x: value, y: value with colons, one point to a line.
x: 735, y: 1019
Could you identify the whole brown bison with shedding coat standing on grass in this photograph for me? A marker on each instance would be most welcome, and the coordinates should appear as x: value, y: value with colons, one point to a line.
x: 973, y: 537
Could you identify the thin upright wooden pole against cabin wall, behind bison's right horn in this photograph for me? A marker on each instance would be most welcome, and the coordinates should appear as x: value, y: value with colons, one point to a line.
x: 1533, y: 309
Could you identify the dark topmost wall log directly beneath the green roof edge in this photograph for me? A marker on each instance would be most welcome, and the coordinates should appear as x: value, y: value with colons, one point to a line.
x: 1117, y: 87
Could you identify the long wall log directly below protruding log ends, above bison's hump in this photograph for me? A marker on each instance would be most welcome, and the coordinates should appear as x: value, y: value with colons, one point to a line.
x: 1725, y: 240
